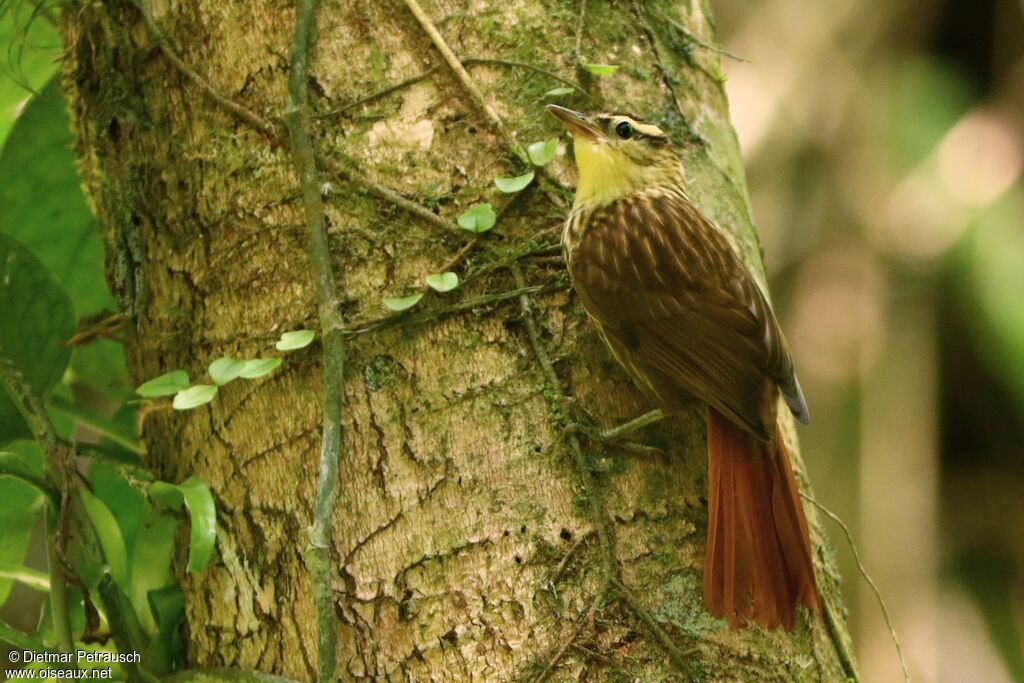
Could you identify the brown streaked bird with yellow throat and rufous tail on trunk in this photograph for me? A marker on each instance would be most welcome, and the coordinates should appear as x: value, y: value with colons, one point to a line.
x: 682, y: 314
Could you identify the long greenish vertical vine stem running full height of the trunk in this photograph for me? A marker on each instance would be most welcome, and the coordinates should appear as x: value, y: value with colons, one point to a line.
x: 322, y: 571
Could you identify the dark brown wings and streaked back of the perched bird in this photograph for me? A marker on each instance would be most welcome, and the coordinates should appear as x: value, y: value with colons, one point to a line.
x: 671, y: 292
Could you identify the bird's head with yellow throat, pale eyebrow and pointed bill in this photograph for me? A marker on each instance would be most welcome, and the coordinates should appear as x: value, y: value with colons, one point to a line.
x: 618, y: 155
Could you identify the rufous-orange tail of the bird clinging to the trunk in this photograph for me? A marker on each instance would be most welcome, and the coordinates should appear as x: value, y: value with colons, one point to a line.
x: 759, y: 552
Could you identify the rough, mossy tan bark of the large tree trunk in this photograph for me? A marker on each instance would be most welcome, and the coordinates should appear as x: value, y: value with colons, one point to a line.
x: 463, y: 534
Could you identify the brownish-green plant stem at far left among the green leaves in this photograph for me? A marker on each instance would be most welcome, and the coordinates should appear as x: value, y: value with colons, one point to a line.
x: 58, y: 464
